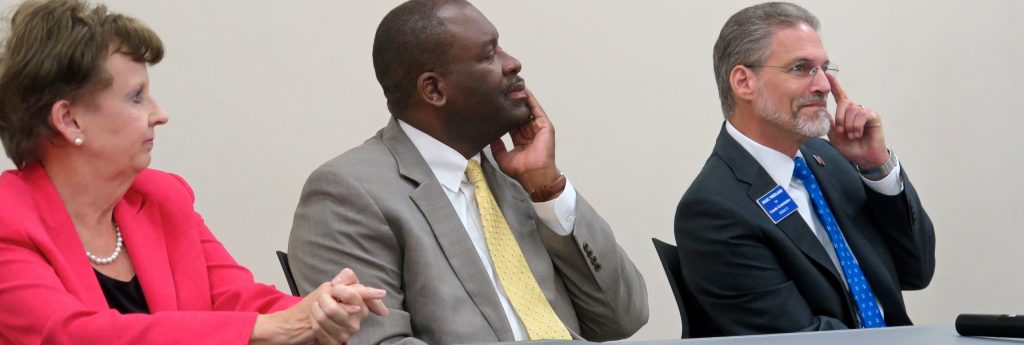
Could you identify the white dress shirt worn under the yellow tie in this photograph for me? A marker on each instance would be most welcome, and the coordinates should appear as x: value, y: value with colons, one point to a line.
x: 450, y: 168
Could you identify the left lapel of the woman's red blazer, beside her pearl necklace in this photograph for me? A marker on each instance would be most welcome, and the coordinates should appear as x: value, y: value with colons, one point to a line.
x: 69, y: 262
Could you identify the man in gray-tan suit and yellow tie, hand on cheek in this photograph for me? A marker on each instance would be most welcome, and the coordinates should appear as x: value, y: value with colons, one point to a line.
x: 471, y: 248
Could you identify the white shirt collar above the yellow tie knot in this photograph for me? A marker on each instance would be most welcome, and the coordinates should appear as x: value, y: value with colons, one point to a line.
x: 448, y: 165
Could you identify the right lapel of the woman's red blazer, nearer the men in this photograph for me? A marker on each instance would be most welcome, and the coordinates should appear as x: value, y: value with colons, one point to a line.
x: 141, y: 225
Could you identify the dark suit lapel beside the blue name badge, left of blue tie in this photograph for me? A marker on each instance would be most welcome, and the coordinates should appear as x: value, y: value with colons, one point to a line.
x: 749, y: 171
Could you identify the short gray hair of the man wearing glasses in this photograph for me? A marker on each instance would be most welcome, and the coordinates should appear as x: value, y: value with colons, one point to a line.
x: 746, y: 39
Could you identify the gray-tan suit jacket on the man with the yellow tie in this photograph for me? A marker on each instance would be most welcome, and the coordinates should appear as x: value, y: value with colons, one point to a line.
x: 379, y: 210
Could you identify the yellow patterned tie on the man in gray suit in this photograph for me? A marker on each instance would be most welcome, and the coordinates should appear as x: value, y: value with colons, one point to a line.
x: 517, y: 278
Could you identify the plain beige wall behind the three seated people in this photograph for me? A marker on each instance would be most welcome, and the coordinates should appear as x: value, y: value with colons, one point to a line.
x: 261, y: 93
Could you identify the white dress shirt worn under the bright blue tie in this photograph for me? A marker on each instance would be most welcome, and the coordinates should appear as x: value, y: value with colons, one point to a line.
x: 780, y: 166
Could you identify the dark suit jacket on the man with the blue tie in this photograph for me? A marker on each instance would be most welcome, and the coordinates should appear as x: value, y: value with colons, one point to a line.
x: 756, y: 277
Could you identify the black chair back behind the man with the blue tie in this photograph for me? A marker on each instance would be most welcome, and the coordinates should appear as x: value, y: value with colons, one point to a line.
x: 696, y: 321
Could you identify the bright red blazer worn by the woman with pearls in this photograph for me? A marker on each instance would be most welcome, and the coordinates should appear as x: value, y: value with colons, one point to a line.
x: 50, y: 294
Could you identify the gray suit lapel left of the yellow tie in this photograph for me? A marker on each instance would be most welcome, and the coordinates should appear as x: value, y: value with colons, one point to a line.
x: 430, y: 197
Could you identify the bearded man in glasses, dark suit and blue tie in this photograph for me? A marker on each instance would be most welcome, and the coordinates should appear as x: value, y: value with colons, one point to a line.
x: 786, y: 232
